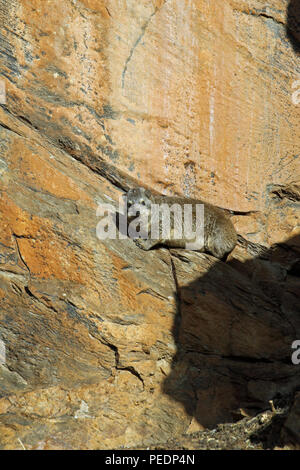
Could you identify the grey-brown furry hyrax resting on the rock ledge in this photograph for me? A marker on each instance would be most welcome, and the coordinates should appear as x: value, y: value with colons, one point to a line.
x: 220, y: 236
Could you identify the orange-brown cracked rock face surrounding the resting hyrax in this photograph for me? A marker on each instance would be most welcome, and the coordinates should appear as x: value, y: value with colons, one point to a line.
x: 103, y: 345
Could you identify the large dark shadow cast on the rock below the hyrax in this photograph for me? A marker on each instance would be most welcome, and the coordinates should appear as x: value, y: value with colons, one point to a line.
x: 234, y: 328
